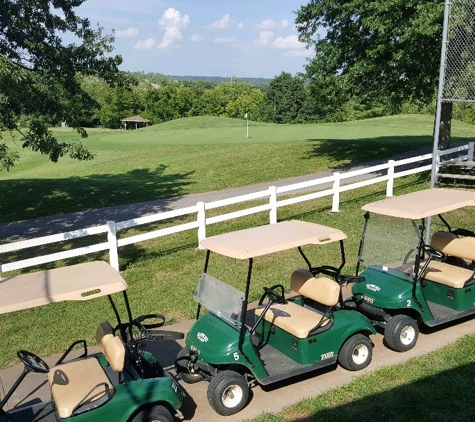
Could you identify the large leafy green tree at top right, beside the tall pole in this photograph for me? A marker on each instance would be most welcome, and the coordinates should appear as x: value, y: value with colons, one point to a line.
x: 387, y: 50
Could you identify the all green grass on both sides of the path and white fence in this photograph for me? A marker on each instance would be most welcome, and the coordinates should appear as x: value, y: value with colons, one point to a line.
x: 196, y: 155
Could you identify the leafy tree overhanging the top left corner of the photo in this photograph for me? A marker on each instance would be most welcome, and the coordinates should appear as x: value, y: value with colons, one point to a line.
x: 38, y: 73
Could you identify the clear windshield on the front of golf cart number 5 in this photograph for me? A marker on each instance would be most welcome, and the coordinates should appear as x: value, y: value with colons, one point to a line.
x: 220, y: 299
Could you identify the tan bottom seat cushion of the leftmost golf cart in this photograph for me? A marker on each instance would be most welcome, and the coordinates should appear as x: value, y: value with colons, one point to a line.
x: 71, y: 382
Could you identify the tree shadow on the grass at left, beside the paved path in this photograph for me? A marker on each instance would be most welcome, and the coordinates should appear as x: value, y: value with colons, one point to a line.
x: 28, y: 198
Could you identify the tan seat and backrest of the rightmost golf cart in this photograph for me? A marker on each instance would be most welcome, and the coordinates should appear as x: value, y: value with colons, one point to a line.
x: 447, y: 274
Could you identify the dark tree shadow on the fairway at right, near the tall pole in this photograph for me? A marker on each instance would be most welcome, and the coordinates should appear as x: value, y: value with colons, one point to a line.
x: 369, y: 150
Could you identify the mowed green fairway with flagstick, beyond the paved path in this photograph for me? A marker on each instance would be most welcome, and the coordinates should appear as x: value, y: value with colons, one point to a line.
x: 198, y: 154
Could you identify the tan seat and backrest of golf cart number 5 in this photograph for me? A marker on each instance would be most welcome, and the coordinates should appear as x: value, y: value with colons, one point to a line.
x: 298, y: 320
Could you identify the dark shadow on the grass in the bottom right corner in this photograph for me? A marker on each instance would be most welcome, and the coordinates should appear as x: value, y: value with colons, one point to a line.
x: 440, y: 397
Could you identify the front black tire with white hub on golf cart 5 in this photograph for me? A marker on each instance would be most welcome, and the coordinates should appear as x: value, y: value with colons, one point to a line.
x: 228, y: 393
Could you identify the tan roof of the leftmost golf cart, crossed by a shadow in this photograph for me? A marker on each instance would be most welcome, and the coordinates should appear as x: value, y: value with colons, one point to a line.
x: 76, y: 282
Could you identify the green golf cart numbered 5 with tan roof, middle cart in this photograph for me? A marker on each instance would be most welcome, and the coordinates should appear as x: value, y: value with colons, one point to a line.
x: 234, y: 347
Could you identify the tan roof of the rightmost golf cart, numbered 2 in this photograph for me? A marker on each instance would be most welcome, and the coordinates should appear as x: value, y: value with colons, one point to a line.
x: 422, y: 204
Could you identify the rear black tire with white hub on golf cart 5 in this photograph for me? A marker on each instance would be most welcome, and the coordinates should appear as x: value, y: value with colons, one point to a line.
x: 356, y: 353
